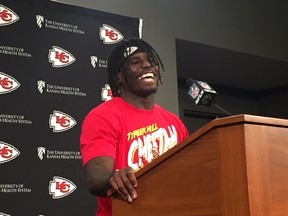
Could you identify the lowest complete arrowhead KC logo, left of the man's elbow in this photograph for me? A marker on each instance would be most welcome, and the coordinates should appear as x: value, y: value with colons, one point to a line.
x: 60, y: 187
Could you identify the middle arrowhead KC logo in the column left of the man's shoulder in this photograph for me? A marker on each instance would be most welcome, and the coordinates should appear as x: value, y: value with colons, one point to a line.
x: 60, y: 121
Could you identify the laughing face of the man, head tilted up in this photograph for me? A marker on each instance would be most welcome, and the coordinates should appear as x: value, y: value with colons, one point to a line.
x: 140, y: 75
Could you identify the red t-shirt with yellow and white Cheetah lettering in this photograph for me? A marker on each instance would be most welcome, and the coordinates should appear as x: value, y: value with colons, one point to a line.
x: 132, y: 136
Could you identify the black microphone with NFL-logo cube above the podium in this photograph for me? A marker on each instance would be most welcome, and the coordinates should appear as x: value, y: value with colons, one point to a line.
x: 203, y: 94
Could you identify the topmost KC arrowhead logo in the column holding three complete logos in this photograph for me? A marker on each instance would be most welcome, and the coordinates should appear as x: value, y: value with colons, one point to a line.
x: 59, y: 57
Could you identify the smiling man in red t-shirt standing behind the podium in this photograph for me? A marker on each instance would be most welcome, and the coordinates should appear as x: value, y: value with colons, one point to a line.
x: 124, y: 134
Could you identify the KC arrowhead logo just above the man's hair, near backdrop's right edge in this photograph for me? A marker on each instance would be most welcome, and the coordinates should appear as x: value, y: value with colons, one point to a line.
x: 109, y: 35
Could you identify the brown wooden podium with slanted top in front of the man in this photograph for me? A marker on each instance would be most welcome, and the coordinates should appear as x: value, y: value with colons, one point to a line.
x: 233, y: 166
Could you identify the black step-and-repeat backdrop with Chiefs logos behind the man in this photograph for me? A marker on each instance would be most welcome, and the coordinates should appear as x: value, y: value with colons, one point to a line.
x: 53, y: 61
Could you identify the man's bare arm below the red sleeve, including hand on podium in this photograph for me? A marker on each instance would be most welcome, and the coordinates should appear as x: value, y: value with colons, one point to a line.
x: 100, y: 178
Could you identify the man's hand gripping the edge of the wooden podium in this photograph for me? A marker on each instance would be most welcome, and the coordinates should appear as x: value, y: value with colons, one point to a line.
x: 124, y: 183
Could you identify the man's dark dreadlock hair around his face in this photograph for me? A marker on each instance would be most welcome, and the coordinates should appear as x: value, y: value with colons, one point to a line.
x: 118, y: 58
